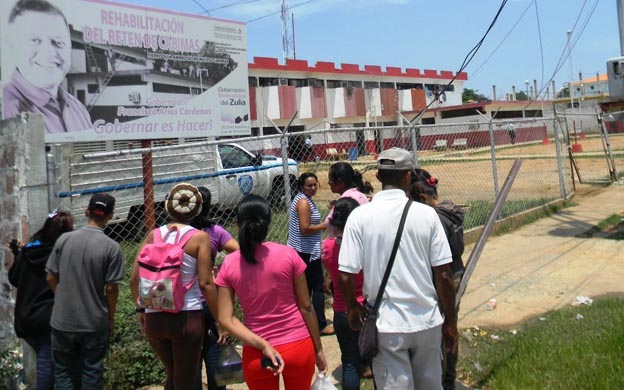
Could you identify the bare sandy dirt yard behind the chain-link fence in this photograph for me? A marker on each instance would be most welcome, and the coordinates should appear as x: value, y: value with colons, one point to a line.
x: 467, y: 176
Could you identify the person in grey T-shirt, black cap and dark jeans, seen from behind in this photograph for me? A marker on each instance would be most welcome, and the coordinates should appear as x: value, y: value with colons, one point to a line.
x: 83, y: 270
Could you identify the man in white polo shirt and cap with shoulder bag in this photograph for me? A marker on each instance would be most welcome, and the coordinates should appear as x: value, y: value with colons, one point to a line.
x: 417, y: 308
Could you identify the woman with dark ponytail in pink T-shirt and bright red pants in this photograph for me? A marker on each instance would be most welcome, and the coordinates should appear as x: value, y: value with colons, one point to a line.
x: 280, y: 323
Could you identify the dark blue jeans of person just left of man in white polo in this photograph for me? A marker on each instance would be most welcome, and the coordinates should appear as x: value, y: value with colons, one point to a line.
x: 350, y: 354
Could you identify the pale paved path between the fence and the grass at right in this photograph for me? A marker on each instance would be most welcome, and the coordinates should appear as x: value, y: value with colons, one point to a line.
x: 546, y: 264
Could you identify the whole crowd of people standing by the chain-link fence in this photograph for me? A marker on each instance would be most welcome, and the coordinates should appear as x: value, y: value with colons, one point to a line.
x: 67, y: 286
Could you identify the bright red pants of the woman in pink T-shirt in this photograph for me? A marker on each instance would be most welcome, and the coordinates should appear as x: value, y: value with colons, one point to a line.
x: 299, y: 361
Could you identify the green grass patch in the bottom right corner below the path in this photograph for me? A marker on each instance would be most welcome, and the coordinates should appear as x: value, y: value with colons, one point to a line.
x: 558, y: 352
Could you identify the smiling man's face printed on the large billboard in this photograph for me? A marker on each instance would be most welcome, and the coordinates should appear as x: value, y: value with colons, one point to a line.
x: 41, y: 47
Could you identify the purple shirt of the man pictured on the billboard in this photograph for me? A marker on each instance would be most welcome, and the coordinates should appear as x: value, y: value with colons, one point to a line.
x: 62, y: 114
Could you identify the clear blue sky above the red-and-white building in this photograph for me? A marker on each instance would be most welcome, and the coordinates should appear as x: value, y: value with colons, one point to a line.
x: 432, y: 34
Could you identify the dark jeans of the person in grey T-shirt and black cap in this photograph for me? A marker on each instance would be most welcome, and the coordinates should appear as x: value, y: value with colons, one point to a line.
x: 79, y: 359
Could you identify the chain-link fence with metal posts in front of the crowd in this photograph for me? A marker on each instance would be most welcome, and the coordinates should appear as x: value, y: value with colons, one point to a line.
x: 470, y: 160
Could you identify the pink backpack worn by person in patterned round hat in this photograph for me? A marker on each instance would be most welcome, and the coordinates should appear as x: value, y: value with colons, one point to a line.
x: 160, y: 272
